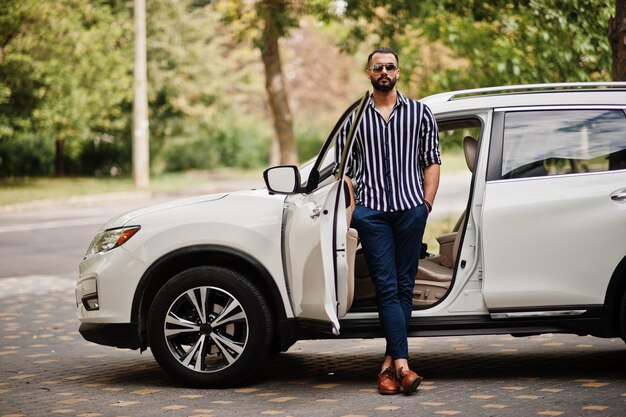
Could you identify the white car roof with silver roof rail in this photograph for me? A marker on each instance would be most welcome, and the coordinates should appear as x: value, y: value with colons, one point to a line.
x: 556, y: 94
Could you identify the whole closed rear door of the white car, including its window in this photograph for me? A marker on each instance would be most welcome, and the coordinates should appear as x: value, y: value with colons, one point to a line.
x: 551, y: 239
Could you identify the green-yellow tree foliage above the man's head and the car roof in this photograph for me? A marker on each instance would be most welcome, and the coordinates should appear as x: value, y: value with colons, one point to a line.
x: 456, y: 45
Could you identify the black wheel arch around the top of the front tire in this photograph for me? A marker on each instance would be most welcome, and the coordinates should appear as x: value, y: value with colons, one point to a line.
x: 181, y: 259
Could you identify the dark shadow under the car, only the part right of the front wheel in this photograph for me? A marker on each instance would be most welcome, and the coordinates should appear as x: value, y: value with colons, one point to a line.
x: 566, y: 364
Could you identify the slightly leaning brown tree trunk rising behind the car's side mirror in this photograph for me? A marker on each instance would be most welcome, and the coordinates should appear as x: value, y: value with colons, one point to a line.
x: 275, y: 83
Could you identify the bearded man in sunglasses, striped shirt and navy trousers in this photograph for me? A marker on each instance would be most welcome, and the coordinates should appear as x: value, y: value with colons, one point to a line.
x: 394, y: 167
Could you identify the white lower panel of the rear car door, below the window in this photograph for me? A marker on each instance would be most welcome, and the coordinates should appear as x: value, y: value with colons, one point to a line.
x: 579, y: 248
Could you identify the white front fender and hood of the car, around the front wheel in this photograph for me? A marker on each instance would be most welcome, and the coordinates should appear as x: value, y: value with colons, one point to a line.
x: 172, y: 226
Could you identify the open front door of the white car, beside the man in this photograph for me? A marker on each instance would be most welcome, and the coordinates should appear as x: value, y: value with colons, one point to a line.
x: 318, y: 246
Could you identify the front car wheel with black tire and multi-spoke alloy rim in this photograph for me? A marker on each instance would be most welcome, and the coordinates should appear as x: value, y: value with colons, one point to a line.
x: 210, y: 327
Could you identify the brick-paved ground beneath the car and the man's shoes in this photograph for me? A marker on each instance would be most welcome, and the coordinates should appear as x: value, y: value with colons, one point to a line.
x: 47, y: 369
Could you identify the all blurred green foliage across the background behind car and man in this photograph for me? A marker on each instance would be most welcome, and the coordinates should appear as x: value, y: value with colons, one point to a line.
x: 66, y: 70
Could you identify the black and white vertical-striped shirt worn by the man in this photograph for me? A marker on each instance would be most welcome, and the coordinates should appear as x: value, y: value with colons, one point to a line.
x: 388, y: 158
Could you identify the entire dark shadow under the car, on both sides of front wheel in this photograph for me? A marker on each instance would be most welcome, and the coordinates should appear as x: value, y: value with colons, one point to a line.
x: 359, y: 368
